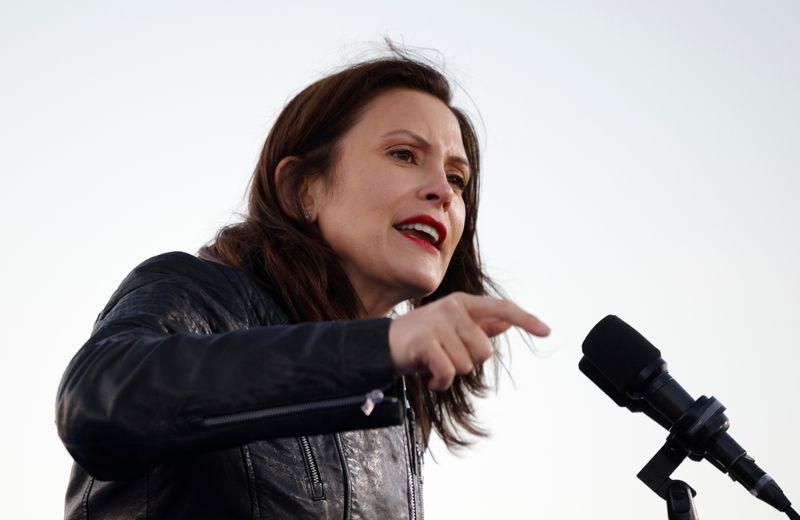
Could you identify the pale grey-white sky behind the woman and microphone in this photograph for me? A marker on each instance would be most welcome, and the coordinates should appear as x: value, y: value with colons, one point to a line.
x: 640, y: 159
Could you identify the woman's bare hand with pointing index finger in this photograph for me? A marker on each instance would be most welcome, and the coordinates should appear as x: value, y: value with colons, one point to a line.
x: 451, y: 335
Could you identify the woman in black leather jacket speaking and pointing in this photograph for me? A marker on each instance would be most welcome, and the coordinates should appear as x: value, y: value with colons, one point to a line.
x: 263, y: 379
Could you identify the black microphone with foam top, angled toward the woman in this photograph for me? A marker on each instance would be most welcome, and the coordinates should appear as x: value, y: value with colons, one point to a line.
x: 630, y: 370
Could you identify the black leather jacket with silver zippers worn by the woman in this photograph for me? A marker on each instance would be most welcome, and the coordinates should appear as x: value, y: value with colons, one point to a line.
x: 194, y: 398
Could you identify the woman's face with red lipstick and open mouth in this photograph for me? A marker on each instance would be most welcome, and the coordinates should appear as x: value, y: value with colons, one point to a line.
x: 393, y: 211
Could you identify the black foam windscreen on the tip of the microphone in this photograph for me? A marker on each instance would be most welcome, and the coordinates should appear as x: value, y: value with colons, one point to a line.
x: 618, y: 351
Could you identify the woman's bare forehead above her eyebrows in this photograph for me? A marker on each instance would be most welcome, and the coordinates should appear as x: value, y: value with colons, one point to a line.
x: 412, y: 110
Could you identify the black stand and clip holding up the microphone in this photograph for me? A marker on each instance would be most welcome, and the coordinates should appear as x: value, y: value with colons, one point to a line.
x: 689, y: 437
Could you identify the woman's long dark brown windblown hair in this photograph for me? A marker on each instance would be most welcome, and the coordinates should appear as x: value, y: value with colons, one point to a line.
x: 284, y: 252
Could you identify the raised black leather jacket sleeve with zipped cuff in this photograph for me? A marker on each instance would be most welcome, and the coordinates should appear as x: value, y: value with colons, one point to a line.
x: 188, y: 357
